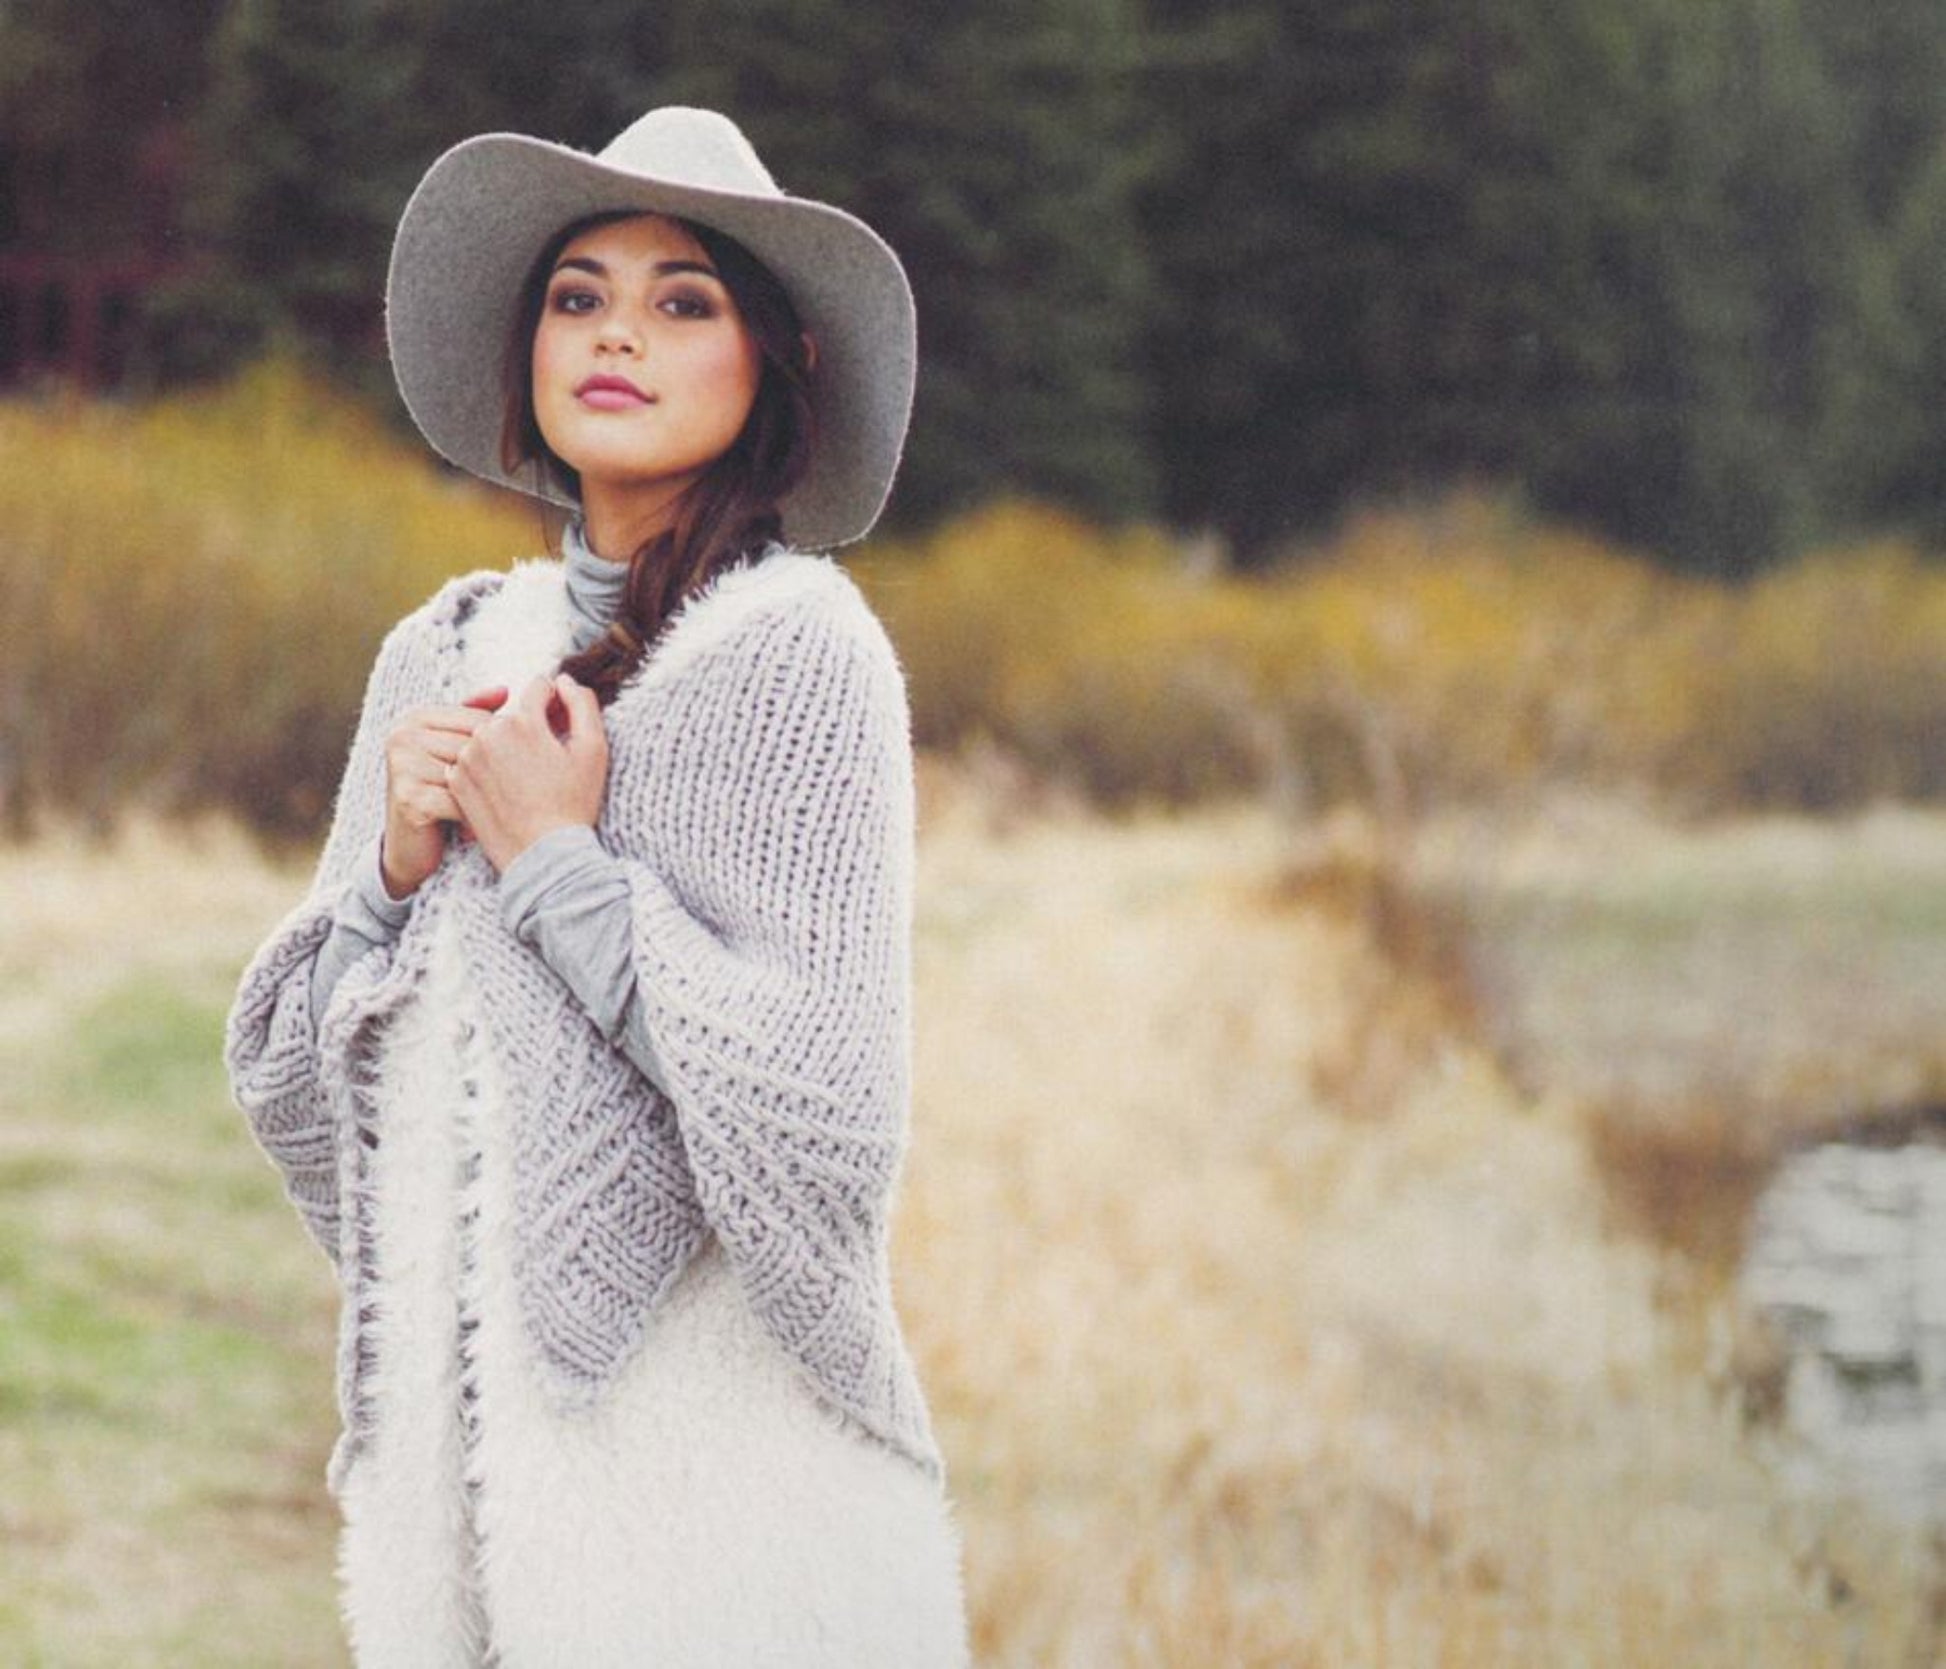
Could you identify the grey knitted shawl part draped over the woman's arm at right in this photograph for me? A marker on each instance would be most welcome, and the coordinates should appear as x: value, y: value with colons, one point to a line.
x: 774, y: 970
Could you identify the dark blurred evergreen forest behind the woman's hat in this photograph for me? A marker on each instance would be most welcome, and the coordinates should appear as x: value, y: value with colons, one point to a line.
x: 1673, y: 271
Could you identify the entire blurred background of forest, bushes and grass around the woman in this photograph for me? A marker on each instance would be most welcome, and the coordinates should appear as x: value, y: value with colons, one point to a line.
x: 1420, y: 569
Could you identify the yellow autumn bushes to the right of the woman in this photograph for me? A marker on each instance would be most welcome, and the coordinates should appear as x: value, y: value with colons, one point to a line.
x: 1425, y: 658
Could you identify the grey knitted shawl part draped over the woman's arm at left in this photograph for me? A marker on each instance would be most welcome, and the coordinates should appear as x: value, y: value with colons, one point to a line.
x: 271, y: 1040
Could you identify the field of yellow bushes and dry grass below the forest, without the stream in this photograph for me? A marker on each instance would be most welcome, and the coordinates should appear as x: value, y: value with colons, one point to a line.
x: 1357, y: 1009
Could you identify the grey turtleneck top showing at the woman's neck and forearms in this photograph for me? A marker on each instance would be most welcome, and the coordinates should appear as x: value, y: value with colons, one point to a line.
x: 565, y: 896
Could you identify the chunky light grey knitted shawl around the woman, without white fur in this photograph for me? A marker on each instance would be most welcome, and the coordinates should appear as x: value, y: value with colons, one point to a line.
x: 760, y: 800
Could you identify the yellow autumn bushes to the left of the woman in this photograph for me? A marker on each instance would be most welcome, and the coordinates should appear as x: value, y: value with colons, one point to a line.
x: 192, y: 594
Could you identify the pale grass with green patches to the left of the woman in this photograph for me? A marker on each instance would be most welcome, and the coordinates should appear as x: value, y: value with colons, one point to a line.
x: 164, y: 1339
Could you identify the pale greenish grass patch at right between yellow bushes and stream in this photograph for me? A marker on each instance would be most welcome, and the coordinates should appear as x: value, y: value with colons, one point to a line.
x: 1784, y: 962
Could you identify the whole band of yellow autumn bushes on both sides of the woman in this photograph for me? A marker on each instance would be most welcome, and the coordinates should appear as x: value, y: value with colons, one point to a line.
x: 194, y: 590
